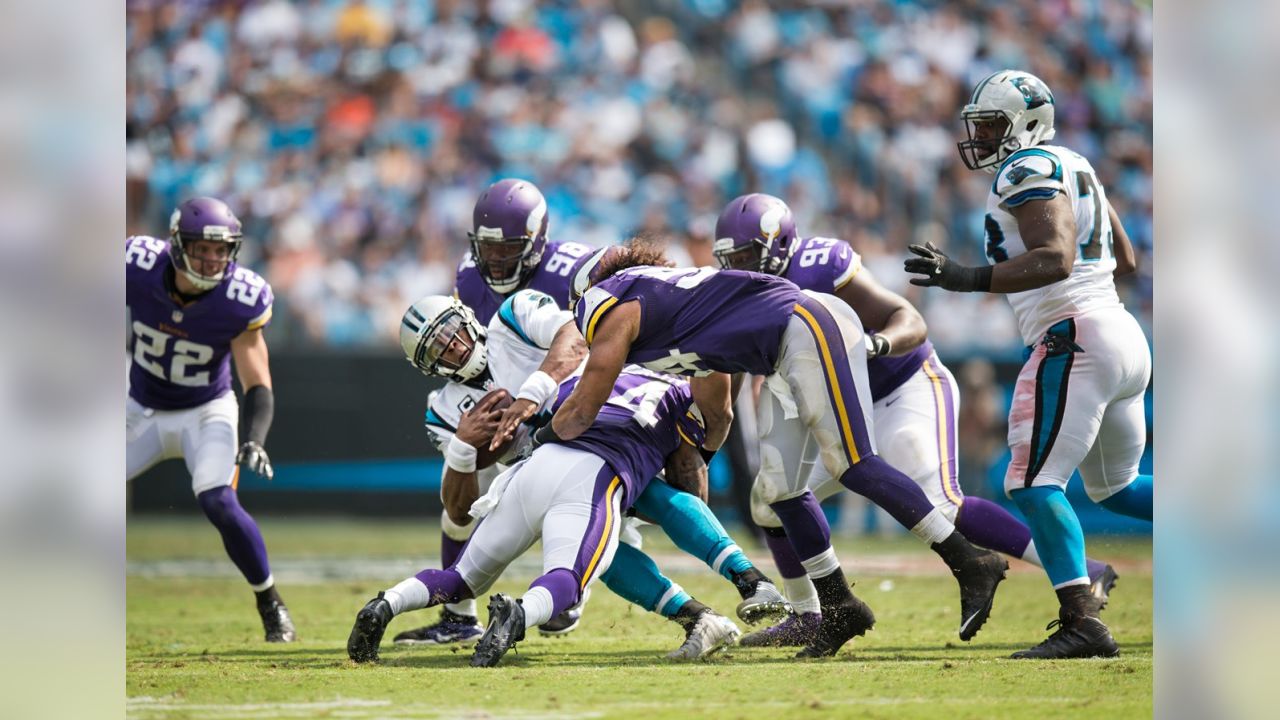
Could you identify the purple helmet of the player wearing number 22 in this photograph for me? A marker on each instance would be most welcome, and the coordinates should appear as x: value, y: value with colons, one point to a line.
x: 198, y: 221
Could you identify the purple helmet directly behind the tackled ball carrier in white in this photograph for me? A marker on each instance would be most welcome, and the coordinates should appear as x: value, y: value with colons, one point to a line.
x: 509, y: 234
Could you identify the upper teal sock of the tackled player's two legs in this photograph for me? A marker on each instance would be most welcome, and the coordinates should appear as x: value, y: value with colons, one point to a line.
x: 693, y: 527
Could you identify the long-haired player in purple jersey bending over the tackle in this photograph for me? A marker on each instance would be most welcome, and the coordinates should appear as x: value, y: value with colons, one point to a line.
x: 711, y: 325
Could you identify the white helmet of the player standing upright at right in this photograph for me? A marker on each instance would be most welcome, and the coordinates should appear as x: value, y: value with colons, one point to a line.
x: 1020, y: 98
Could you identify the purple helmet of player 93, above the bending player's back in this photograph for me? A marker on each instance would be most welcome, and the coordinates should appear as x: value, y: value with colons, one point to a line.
x: 756, y: 233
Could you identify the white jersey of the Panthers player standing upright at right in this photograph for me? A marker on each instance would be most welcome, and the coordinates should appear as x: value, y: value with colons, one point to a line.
x: 1040, y: 174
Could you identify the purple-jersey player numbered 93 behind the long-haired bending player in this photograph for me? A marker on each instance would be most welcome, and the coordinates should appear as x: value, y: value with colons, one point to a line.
x: 915, y: 402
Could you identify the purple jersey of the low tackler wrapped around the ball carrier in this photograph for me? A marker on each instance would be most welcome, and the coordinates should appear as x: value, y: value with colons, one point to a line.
x: 646, y: 420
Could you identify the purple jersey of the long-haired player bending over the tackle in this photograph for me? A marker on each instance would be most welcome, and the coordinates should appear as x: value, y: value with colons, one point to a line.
x: 698, y: 321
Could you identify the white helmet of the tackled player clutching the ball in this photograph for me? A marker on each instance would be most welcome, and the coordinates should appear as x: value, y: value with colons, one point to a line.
x: 428, y: 330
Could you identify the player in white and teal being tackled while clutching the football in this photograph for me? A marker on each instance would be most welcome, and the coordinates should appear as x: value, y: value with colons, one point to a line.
x: 528, y: 349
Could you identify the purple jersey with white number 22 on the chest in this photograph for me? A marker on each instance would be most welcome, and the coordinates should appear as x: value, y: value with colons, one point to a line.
x: 182, y: 354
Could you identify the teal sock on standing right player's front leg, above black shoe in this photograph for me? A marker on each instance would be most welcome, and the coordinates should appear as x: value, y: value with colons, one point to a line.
x: 1057, y: 531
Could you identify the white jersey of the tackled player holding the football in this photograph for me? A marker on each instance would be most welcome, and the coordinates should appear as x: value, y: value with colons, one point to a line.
x: 519, y: 336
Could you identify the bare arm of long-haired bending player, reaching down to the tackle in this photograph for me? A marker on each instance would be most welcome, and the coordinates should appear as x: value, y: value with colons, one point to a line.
x: 614, y: 338
